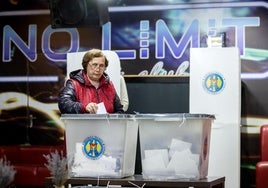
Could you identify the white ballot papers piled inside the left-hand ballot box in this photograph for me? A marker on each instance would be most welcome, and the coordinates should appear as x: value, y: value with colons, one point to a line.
x: 106, y: 166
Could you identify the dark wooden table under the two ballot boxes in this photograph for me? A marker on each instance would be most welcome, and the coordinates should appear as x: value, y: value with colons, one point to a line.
x: 209, y: 182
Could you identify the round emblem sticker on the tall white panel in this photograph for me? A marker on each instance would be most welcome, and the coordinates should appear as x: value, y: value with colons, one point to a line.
x: 214, y: 83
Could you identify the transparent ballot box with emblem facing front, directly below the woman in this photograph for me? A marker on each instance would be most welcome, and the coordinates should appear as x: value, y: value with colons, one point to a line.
x: 102, y: 145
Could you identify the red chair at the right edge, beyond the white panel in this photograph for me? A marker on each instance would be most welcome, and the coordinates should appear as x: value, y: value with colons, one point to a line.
x: 262, y: 165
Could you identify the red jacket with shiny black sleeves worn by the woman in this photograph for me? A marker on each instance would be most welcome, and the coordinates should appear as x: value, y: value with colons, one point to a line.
x: 78, y: 92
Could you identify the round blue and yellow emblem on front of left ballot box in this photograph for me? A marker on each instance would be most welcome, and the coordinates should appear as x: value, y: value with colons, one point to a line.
x: 93, y: 147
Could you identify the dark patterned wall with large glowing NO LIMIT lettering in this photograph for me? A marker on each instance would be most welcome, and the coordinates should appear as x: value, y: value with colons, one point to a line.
x: 155, y: 43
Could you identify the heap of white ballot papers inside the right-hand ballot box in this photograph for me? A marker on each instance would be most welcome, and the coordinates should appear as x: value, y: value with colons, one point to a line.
x: 175, y: 162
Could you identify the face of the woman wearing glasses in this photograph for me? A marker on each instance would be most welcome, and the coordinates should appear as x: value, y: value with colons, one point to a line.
x: 95, y: 68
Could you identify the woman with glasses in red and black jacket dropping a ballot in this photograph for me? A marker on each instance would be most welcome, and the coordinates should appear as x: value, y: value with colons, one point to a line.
x: 88, y: 87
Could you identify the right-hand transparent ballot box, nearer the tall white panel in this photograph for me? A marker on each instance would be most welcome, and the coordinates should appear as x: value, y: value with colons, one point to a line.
x: 174, y: 146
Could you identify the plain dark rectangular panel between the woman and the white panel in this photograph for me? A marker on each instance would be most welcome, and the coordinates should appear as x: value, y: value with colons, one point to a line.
x: 158, y: 95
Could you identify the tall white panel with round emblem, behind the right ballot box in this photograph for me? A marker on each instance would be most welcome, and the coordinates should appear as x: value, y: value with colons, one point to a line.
x: 224, y: 103
